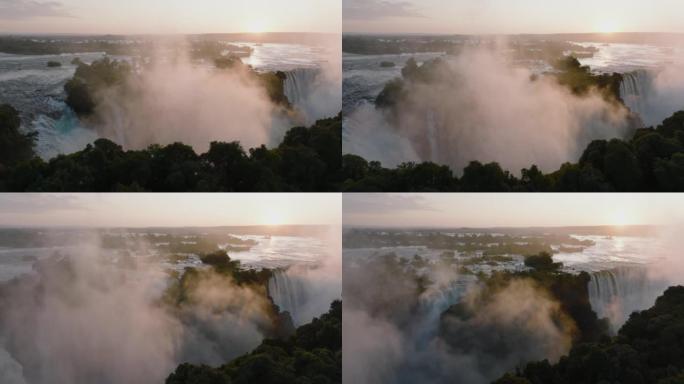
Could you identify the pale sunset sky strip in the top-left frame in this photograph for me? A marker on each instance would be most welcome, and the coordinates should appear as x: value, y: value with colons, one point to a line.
x: 169, y: 16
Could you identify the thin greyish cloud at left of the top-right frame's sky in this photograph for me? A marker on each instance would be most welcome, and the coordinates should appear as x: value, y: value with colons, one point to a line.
x: 378, y: 9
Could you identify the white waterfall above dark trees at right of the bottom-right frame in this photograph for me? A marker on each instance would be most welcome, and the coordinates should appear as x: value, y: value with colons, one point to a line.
x: 616, y: 293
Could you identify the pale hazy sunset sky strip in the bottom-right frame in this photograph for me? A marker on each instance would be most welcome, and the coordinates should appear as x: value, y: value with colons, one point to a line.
x: 484, y: 210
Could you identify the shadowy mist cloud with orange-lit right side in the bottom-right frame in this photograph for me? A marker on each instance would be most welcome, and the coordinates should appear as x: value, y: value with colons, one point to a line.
x: 399, y: 325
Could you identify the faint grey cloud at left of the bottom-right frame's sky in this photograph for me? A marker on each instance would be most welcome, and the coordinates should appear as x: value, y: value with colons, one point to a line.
x: 389, y: 204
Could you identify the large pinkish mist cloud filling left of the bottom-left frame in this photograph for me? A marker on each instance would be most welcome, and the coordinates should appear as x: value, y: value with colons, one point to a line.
x: 95, y: 316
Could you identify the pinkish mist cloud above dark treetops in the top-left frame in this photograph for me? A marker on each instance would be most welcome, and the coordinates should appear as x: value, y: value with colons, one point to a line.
x: 180, y: 102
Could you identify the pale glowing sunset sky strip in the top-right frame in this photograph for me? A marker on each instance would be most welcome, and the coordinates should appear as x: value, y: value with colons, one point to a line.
x: 512, y: 16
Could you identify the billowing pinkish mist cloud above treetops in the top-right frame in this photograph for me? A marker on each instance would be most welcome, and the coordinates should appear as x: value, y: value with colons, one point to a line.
x: 483, y: 109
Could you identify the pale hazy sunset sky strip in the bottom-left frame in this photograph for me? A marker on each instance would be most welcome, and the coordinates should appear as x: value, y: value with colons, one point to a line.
x: 168, y: 210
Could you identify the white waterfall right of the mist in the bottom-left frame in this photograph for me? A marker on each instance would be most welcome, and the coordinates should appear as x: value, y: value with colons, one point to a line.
x: 289, y: 294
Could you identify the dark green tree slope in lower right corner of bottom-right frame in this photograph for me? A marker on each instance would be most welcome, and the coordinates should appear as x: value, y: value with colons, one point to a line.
x: 649, y: 349
